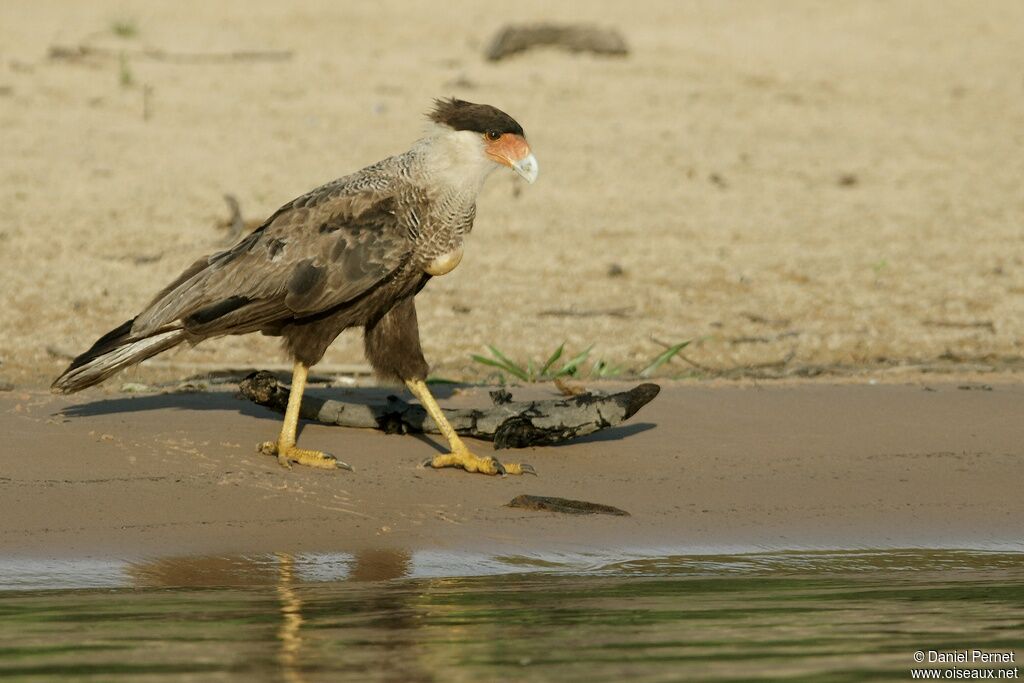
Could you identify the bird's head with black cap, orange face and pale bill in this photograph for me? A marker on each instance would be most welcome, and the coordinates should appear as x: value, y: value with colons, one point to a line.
x: 483, y: 135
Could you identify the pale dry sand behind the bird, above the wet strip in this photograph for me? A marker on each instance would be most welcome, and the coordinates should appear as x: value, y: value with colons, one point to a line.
x: 782, y: 183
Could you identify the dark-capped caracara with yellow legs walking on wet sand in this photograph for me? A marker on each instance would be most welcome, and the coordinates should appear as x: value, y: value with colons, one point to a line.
x: 353, y: 253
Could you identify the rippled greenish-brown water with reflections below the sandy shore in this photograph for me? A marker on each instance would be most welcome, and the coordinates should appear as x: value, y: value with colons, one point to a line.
x: 836, y: 617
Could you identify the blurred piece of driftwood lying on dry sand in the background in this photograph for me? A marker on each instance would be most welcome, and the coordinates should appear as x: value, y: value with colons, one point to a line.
x: 576, y: 38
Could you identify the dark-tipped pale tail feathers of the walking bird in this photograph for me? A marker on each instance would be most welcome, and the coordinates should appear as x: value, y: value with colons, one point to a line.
x: 112, y: 354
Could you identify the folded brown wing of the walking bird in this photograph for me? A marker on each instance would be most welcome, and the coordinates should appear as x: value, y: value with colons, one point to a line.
x: 318, y: 252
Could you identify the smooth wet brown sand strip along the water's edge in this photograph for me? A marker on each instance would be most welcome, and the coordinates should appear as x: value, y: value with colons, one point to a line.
x: 703, y: 469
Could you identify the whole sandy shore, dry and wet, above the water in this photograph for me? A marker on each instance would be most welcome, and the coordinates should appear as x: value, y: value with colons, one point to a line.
x: 798, y: 188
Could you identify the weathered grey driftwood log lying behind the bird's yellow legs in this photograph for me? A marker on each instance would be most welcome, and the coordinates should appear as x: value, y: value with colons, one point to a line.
x: 510, y: 424
